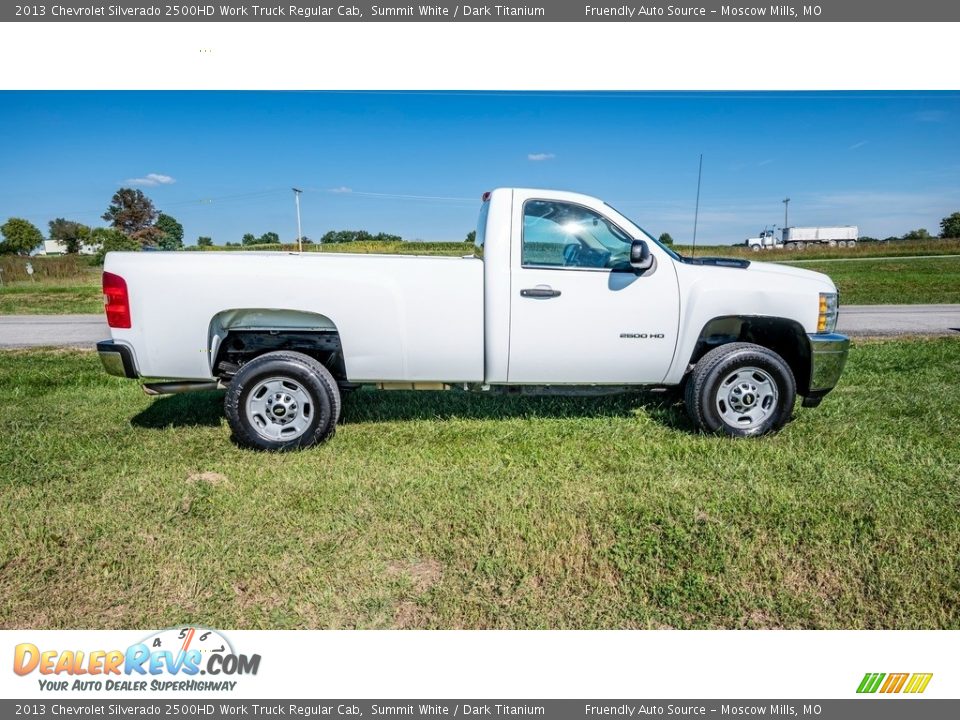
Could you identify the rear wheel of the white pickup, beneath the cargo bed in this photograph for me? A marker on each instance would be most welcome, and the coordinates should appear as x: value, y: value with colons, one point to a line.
x: 311, y: 408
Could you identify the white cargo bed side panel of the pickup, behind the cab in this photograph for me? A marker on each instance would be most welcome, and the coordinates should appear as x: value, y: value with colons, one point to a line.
x: 400, y: 318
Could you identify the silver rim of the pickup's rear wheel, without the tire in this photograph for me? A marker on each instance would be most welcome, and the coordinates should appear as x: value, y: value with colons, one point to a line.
x: 279, y: 409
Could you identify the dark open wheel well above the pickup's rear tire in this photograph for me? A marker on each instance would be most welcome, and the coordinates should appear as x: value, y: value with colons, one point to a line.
x: 241, y: 346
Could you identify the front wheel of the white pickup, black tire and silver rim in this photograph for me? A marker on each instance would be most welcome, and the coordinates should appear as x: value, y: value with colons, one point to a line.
x: 710, y: 390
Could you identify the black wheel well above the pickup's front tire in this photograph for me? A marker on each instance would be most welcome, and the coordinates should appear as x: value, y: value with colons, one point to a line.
x: 785, y: 337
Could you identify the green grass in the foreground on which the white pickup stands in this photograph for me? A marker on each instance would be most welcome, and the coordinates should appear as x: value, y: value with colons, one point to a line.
x: 450, y: 510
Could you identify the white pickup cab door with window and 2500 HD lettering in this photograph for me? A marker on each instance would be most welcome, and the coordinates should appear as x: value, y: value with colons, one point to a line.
x: 578, y: 313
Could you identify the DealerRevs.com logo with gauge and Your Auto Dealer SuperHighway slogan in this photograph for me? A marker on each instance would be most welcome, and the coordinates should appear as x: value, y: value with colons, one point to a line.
x: 180, y: 659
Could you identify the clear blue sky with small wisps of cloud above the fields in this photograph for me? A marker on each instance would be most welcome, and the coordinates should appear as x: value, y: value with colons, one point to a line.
x: 415, y: 164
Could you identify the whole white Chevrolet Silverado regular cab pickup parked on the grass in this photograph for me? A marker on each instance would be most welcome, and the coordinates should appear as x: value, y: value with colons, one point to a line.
x: 562, y: 290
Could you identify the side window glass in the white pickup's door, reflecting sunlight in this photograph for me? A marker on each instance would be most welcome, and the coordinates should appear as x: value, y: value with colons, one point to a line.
x: 559, y: 234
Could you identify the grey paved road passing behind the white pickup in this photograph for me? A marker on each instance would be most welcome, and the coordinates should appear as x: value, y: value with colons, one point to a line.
x: 18, y: 331
